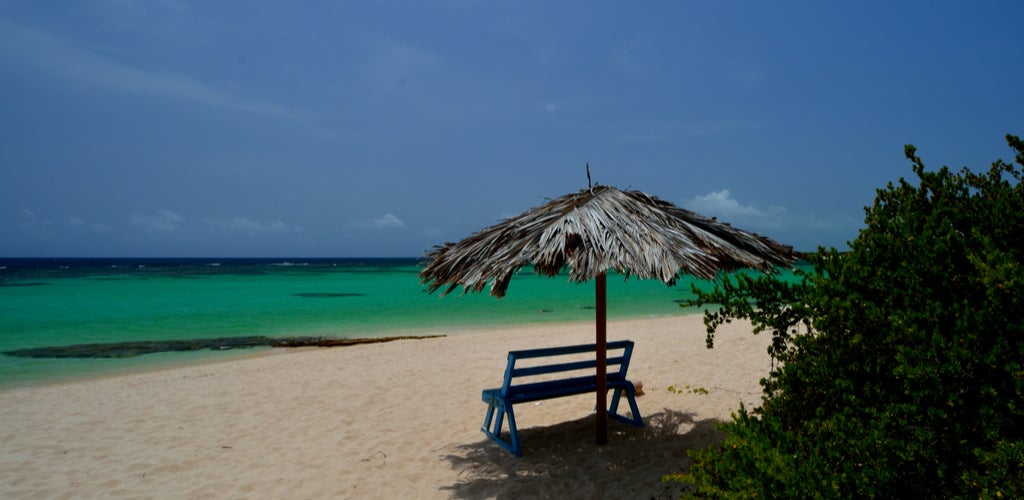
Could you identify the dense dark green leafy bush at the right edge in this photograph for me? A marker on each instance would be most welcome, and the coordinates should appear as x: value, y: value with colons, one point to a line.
x: 900, y: 364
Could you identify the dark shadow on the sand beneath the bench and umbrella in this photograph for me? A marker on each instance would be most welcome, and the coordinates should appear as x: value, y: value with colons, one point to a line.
x: 564, y: 462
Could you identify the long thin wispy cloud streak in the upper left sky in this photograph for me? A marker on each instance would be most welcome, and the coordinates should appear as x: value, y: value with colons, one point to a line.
x: 54, y: 56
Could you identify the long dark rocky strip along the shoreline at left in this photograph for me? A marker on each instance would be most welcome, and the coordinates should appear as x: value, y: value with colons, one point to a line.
x: 130, y: 350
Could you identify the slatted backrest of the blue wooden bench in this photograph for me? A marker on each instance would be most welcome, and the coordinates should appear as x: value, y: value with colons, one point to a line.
x: 615, y: 359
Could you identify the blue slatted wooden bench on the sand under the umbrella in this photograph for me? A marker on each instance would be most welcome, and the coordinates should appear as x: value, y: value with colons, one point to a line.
x: 522, y: 385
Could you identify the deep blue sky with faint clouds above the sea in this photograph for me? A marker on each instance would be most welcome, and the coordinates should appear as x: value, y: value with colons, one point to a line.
x: 179, y: 129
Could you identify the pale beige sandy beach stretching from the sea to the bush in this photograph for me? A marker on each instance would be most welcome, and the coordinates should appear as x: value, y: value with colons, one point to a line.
x: 393, y: 421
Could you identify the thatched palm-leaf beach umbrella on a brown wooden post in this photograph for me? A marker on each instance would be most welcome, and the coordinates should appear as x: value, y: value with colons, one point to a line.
x: 591, y: 232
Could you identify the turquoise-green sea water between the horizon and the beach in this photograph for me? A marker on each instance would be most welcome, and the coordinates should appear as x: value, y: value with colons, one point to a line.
x: 48, y: 303
